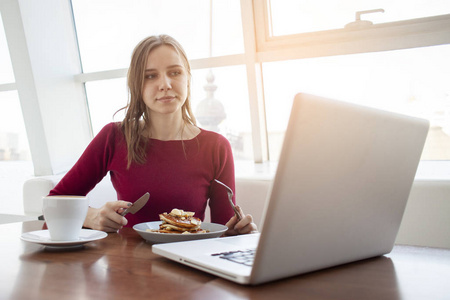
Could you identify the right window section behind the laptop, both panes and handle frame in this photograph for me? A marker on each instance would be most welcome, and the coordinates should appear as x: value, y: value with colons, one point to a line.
x: 305, y: 46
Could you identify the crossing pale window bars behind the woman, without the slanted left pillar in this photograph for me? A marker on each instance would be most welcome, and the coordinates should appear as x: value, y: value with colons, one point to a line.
x: 261, y: 47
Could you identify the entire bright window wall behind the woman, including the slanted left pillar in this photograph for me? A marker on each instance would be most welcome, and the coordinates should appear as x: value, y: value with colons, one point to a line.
x: 300, y: 45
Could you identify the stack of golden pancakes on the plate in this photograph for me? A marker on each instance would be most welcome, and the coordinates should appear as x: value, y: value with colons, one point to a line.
x: 179, y: 221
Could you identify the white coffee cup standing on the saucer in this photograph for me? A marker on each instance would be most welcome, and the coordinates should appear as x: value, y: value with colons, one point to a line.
x: 65, y: 216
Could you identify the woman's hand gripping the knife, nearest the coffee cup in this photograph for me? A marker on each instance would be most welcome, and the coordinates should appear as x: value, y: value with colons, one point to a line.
x: 107, y: 218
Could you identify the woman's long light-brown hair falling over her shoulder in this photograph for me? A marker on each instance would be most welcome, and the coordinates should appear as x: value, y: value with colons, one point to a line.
x: 137, y: 118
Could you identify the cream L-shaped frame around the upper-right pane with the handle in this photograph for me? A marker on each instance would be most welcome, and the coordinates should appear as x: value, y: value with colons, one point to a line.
x: 413, y: 33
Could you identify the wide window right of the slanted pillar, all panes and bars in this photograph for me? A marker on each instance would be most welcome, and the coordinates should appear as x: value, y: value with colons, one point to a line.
x: 301, y: 46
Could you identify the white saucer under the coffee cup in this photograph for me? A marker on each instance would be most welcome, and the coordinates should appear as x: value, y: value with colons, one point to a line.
x: 43, y: 237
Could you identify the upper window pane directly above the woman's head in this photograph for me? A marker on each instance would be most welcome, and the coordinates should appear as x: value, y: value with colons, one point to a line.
x: 109, y: 30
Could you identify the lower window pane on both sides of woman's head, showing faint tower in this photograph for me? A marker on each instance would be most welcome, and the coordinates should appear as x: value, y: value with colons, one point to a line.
x: 228, y: 95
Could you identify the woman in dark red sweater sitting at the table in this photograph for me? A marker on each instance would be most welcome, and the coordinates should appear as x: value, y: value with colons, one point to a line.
x: 157, y: 148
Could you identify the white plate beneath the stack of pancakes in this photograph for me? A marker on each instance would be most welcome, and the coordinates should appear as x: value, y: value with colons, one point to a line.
x: 215, y: 230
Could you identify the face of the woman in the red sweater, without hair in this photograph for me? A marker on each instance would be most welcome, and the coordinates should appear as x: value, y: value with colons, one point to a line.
x: 165, y: 82
